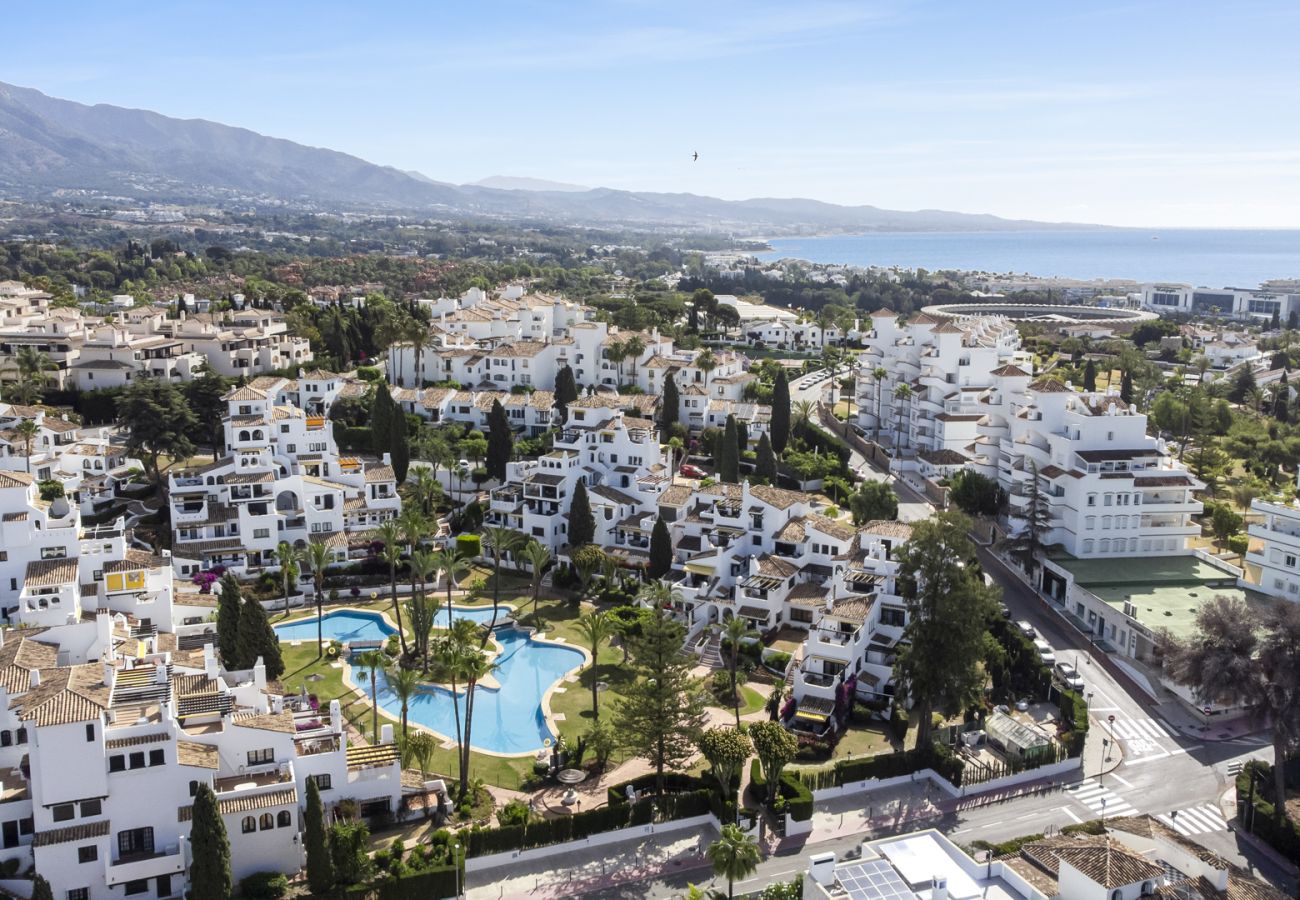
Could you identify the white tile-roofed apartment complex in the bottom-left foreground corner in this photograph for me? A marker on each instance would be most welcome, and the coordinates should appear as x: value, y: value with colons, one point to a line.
x: 105, y: 760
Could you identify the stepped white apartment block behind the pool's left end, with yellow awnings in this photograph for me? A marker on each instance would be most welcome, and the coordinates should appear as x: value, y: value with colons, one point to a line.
x: 281, y: 479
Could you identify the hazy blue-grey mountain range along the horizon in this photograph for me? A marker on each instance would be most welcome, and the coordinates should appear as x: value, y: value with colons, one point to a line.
x: 50, y: 145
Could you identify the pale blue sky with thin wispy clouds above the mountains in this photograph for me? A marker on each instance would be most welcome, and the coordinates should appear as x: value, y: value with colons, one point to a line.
x: 1132, y: 114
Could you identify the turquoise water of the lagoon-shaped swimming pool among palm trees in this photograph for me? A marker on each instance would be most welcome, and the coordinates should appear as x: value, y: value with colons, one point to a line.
x: 509, y: 720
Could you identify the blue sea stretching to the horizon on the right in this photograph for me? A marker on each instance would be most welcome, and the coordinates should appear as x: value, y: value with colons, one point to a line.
x: 1204, y: 258
